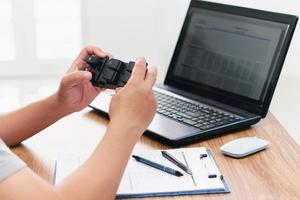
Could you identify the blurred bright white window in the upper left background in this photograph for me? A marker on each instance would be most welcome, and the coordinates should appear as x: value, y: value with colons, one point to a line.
x: 38, y: 37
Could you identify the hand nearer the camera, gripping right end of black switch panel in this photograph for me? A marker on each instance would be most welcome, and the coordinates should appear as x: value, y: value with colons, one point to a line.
x: 133, y: 106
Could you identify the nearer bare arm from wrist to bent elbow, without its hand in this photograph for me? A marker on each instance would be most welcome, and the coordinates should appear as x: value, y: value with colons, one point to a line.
x: 97, y: 178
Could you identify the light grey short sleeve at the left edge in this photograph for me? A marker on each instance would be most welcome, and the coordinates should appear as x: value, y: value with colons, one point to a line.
x: 9, y: 162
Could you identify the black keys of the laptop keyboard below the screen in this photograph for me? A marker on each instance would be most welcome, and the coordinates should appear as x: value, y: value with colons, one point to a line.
x: 197, y: 115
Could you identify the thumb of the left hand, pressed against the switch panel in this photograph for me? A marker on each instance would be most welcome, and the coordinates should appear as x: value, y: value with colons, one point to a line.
x: 75, y: 78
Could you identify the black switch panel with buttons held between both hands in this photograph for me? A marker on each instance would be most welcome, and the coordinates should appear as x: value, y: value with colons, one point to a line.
x: 108, y: 72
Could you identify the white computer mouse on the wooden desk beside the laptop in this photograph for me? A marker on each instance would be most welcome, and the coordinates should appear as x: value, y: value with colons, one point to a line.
x: 243, y: 146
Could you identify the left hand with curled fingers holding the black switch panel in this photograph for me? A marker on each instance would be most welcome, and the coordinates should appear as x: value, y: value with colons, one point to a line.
x: 75, y: 90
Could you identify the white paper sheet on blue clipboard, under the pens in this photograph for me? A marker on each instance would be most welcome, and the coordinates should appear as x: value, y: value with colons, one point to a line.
x: 139, y: 178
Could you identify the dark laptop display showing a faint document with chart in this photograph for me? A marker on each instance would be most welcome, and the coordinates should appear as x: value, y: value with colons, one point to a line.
x: 231, y: 53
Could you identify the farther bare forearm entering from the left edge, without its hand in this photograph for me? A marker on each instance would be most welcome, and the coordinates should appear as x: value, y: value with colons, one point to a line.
x: 21, y: 124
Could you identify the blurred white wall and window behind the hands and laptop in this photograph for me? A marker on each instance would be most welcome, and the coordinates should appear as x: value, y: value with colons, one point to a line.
x: 128, y: 29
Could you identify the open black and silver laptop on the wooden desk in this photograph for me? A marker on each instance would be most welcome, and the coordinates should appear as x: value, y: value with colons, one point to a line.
x: 222, y: 74
